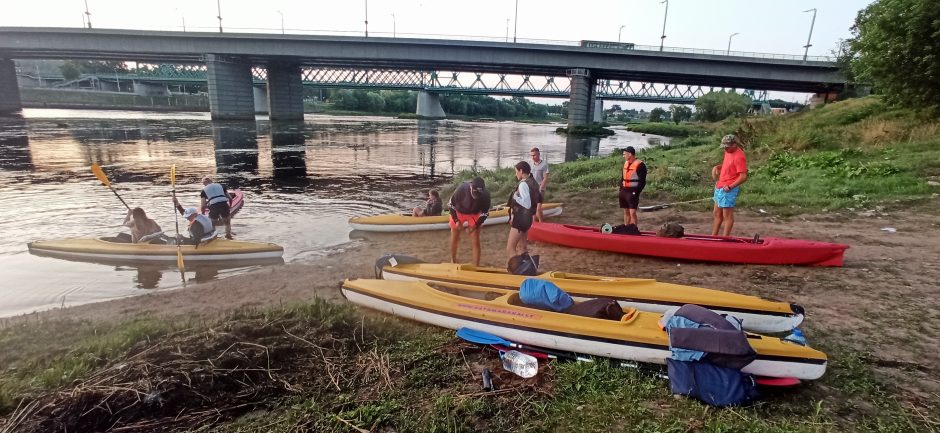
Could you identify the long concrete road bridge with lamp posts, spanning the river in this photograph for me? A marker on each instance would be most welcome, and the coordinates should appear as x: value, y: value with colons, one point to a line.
x: 233, y: 63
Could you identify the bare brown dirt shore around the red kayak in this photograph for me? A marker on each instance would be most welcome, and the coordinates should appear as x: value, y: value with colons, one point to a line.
x: 882, y: 303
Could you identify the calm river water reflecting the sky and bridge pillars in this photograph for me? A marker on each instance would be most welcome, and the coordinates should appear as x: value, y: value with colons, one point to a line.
x: 302, y: 181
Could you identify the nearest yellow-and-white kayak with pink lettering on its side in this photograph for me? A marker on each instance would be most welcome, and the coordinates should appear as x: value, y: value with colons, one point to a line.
x: 637, y: 336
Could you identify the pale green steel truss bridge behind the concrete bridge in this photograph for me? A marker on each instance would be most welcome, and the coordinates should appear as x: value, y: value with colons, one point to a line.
x: 446, y: 82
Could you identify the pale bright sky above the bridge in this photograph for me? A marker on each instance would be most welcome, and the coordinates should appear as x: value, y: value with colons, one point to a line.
x: 765, y: 26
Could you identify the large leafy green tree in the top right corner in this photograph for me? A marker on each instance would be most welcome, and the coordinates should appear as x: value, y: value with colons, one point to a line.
x: 896, y: 47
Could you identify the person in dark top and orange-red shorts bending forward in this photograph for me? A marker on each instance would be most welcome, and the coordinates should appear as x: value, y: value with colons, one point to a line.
x: 469, y: 208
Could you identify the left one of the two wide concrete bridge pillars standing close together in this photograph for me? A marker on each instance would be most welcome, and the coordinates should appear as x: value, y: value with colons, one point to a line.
x: 230, y: 88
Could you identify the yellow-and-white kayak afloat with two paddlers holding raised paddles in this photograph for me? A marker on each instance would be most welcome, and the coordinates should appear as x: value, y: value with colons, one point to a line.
x: 107, y: 249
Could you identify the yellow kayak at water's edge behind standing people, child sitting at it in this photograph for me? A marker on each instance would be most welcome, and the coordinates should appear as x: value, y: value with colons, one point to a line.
x: 407, y: 223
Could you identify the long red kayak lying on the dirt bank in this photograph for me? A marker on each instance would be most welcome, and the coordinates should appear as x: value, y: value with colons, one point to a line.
x: 765, y: 251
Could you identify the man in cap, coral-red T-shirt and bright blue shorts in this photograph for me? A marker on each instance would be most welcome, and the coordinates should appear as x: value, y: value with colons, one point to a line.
x: 728, y: 176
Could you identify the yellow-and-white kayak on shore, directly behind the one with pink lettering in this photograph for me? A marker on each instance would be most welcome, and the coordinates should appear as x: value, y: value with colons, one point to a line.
x: 756, y: 314
